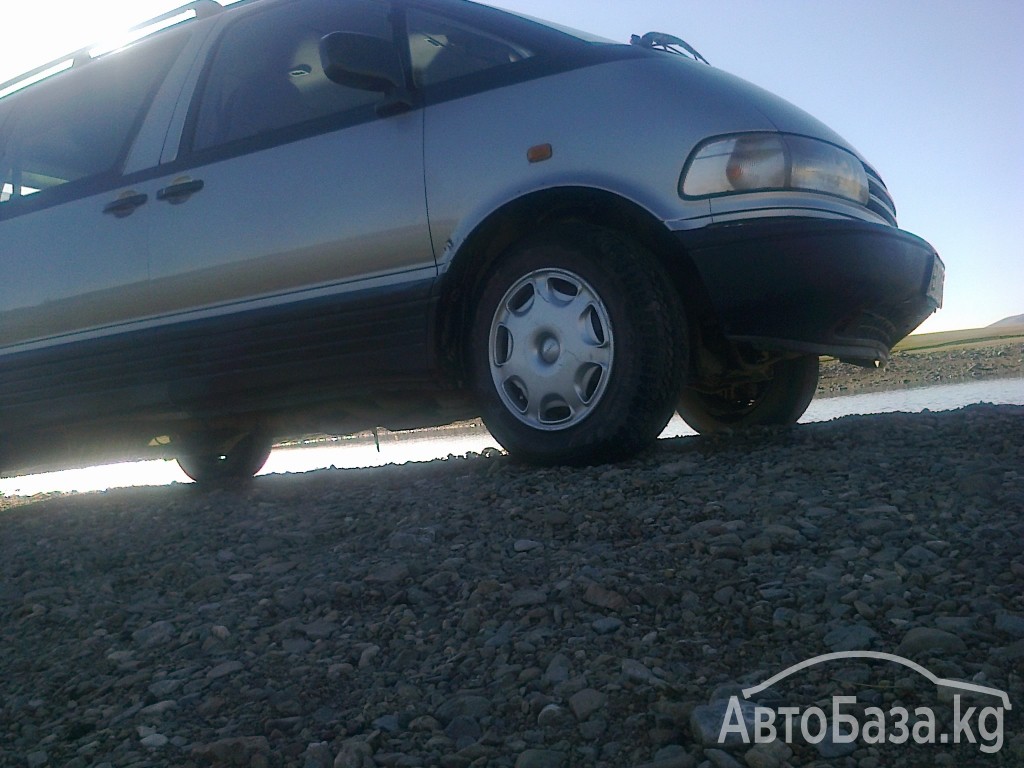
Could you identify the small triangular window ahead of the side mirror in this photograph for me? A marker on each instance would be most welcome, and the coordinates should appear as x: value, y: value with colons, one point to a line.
x: 443, y: 50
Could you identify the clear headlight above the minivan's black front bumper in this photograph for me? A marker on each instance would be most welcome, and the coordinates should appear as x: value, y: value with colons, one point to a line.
x: 763, y: 162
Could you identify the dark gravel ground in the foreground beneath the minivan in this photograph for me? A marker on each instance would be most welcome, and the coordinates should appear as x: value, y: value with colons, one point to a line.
x: 476, y: 613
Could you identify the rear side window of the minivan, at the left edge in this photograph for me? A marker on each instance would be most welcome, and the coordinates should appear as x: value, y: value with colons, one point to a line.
x: 78, y: 125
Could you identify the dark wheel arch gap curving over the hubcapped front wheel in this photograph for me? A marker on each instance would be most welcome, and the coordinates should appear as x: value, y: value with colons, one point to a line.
x: 481, y: 250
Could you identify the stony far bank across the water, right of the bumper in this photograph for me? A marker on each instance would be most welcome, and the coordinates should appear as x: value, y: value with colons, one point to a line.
x: 925, y: 369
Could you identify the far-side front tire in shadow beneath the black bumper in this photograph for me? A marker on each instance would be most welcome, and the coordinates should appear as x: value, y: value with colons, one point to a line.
x: 779, y: 401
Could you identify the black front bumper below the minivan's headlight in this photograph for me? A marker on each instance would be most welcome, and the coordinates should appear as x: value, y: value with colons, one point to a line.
x: 849, y: 289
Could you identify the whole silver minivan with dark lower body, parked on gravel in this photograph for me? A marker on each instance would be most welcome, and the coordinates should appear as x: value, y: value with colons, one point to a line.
x: 286, y: 218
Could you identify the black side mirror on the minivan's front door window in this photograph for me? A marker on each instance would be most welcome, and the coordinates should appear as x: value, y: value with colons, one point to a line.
x: 363, y: 62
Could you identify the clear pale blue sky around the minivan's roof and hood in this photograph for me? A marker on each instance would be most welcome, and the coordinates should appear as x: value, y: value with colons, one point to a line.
x: 929, y: 92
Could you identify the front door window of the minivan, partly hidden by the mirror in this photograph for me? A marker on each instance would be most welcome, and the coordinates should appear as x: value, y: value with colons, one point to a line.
x: 267, y: 74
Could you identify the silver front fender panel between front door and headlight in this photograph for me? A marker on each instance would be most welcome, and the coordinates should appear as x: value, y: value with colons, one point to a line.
x: 624, y: 126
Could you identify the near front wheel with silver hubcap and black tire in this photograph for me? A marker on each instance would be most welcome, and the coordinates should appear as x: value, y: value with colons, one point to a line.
x: 577, y: 348
